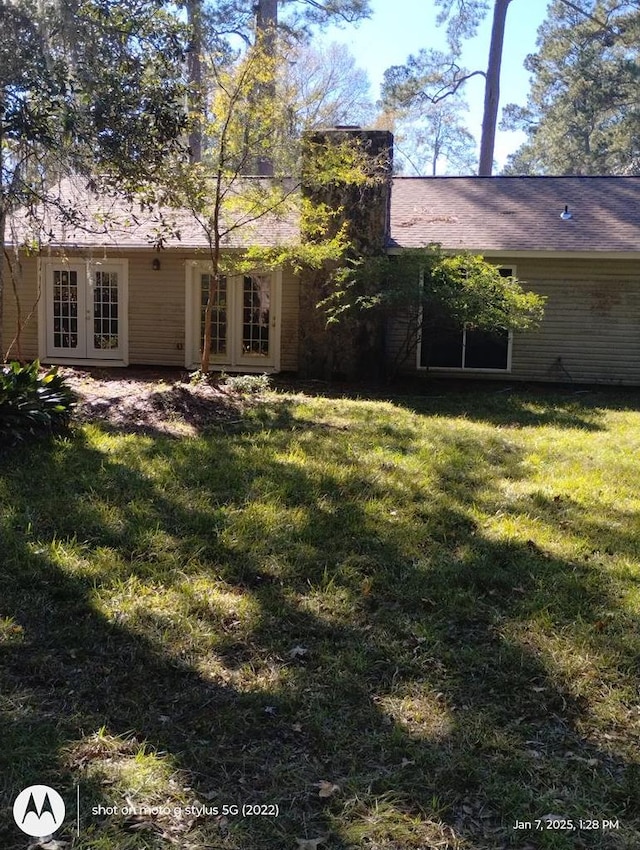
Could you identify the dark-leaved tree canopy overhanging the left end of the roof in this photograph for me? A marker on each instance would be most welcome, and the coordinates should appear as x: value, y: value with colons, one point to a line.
x: 90, y: 87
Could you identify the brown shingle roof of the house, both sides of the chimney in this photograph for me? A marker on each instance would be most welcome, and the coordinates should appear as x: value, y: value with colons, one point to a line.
x: 483, y: 214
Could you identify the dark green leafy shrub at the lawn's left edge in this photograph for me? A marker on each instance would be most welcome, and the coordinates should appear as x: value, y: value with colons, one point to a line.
x: 32, y: 404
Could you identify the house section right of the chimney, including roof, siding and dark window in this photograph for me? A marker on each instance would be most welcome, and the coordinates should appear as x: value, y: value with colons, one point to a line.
x: 575, y: 240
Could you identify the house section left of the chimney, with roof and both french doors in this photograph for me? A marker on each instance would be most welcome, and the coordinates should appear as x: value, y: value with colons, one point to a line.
x: 115, y: 284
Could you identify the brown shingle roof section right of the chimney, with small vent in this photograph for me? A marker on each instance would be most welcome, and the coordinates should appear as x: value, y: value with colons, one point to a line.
x: 516, y: 213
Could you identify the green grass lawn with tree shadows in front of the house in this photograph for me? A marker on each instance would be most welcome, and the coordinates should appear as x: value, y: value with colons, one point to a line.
x: 407, y: 624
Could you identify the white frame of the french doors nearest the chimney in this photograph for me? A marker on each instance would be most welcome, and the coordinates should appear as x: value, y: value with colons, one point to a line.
x: 234, y: 360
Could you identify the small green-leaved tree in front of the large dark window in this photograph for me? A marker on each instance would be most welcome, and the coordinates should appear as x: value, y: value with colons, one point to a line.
x: 430, y: 289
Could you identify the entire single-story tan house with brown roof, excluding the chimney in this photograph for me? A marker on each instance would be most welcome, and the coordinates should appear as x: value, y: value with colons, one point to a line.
x: 99, y: 292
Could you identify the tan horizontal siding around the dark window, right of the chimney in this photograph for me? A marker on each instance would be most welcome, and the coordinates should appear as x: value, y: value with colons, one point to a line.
x: 590, y: 331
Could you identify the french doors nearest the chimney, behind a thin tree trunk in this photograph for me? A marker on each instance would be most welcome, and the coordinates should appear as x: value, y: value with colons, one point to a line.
x: 244, y: 320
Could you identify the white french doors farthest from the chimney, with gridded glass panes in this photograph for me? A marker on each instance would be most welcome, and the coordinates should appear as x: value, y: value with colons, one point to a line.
x: 85, y: 310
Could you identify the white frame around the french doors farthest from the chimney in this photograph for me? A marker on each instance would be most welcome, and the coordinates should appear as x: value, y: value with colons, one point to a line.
x: 85, y: 352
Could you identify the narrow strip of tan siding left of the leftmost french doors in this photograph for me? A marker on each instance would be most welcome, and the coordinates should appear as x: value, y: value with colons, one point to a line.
x: 26, y: 307
